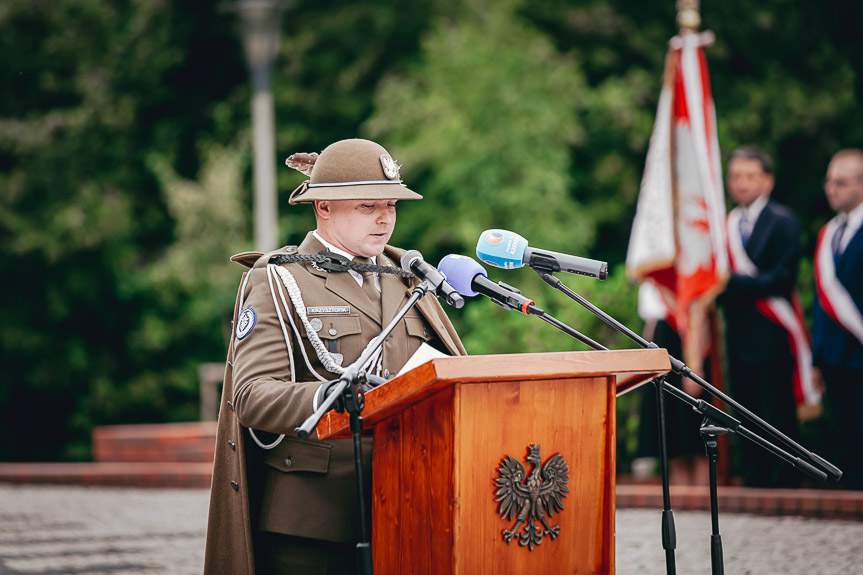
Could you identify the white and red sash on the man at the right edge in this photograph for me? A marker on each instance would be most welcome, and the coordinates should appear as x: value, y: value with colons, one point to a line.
x: 832, y: 295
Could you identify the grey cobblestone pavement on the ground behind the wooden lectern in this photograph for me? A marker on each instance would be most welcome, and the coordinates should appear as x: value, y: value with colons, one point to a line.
x: 81, y: 531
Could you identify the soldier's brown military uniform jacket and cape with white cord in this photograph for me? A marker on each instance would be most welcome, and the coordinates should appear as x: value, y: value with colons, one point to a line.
x: 305, y: 488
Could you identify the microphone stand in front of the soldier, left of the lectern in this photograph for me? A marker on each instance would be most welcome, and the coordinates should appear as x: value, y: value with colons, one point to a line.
x: 348, y: 395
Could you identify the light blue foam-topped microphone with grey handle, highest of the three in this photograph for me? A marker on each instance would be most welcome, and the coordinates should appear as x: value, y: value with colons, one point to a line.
x: 508, y: 250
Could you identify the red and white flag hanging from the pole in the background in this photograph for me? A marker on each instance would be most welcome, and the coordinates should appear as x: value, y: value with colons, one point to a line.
x: 678, y: 233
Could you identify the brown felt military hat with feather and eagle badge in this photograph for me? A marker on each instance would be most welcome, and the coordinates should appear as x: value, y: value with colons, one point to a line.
x: 349, y: 170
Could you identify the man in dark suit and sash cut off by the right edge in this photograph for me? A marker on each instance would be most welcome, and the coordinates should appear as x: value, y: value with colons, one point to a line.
x: 837, y: 326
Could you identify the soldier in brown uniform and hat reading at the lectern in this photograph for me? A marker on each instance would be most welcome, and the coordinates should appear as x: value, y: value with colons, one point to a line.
x: 280, y: 504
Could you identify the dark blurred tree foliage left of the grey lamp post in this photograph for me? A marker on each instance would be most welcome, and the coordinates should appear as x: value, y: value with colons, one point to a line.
x: 103, y: 321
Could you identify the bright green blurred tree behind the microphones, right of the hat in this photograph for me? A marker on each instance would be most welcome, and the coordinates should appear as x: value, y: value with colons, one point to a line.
x: 485, y: 122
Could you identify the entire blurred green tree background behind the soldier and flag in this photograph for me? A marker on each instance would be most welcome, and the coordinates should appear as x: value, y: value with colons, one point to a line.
x: 125, y: 166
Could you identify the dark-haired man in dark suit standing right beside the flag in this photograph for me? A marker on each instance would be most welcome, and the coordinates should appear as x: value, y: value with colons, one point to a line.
x: 764, y: 240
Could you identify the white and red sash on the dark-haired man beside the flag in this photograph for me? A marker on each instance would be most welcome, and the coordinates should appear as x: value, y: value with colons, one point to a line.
x: 787, y: 314
